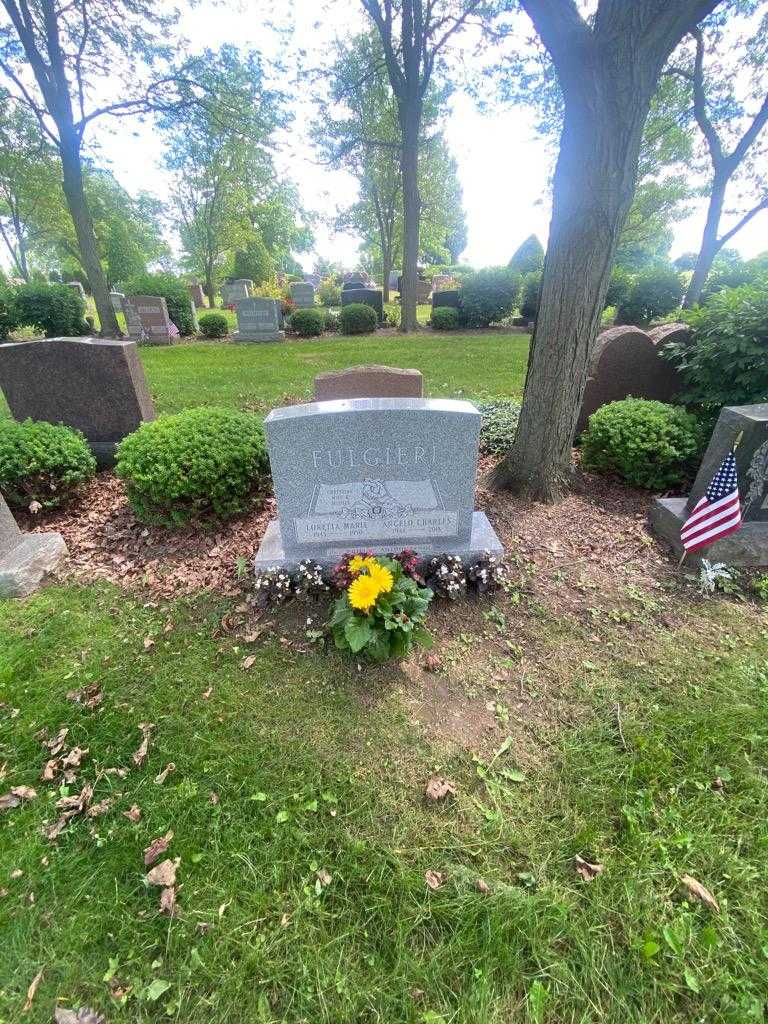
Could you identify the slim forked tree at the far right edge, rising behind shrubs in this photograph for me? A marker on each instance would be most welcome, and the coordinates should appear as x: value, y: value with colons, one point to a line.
x: 726, y: 70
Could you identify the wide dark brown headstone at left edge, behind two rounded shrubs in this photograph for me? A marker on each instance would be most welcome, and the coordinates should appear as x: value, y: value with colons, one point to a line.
x: 96, y: 386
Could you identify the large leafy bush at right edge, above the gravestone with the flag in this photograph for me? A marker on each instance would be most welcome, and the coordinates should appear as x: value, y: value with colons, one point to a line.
x: 728, y: 362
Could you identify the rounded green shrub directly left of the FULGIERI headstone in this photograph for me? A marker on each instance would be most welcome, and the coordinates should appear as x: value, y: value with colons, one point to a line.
x: 201, y: 464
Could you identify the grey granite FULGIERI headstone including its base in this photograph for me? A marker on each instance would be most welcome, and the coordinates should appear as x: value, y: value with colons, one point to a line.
x: 374, y: 475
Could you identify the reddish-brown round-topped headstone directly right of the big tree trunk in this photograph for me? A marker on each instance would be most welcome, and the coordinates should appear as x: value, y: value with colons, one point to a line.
x: 627, y: 363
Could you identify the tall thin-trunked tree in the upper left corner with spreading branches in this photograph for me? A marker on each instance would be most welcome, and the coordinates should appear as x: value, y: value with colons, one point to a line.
x: 57, y: 57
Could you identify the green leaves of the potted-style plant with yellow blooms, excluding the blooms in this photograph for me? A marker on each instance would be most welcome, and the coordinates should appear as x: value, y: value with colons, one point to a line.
x: 392, y: 627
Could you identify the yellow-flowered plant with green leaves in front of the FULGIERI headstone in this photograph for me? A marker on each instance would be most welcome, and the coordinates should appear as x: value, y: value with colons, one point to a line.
x: 382, y: 612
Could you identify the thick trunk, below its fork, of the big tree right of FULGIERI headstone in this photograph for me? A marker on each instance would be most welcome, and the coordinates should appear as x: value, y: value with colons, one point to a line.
x: 593, y: 190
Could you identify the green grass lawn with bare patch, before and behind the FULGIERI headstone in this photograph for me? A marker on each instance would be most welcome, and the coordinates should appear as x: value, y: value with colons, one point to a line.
x: 638, y: 740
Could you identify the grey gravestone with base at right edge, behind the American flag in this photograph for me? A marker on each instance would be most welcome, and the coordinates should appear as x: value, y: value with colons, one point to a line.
x: 749, y: 546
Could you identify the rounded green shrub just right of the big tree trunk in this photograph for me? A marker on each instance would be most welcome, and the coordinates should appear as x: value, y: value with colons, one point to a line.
x: 649, y: 444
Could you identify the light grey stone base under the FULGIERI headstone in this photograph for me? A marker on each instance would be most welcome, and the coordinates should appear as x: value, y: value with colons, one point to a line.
x: 484, y: 539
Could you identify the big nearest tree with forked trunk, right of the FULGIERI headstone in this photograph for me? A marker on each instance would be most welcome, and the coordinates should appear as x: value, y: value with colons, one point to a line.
x: 609, y: 69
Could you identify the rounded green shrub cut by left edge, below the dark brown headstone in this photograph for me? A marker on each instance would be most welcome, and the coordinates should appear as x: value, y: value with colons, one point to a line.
x: 42, y: 462
